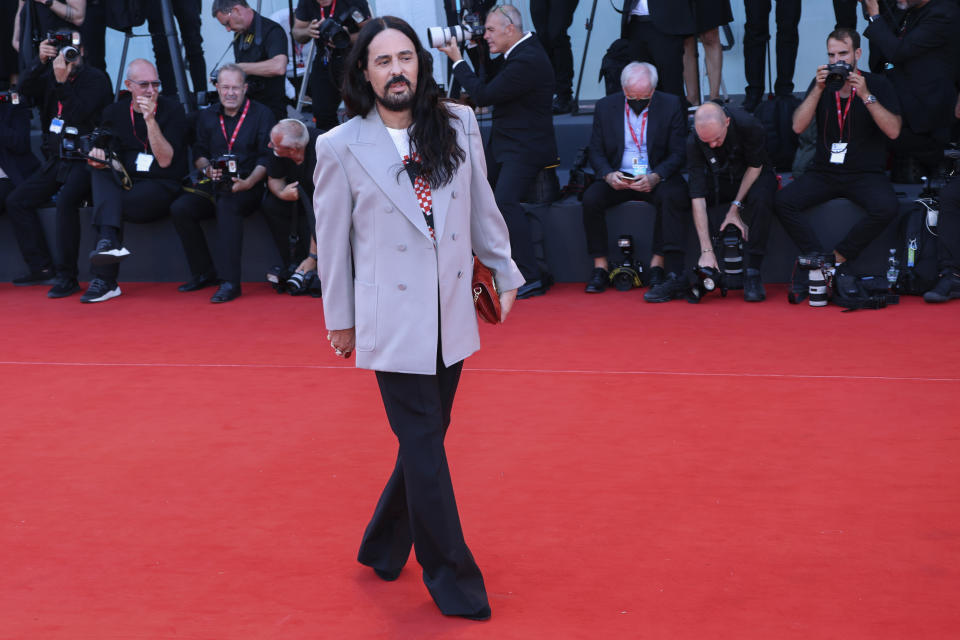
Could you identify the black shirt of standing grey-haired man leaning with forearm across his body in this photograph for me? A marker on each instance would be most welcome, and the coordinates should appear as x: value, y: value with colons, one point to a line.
x: 273, y: 42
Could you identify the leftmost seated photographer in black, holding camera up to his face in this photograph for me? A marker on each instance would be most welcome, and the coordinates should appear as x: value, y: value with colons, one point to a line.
x: 71, y: 97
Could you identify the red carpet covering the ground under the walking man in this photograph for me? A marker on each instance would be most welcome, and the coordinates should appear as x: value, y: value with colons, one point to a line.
x: 176, y: 469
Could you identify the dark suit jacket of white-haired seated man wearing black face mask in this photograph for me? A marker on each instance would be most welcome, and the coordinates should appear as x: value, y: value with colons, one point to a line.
x: 666, y: 135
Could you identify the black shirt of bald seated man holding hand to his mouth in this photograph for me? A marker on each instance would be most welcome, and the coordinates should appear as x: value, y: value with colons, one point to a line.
x: 131, y: 137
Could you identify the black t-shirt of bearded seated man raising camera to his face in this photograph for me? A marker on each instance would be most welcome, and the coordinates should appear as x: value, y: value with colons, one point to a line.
x: 866, y: 143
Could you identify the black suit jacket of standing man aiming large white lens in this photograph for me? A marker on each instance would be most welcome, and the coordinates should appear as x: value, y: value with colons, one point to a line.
x: 522, y: 97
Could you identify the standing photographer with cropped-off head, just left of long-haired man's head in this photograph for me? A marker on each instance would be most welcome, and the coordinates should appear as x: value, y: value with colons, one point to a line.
x: 326, y: 76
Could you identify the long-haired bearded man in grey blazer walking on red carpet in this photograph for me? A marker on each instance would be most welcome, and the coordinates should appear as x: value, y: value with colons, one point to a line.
x: 401, y: 199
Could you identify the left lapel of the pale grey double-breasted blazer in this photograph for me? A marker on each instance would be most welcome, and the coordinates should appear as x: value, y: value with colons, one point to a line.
x: 375, y: 151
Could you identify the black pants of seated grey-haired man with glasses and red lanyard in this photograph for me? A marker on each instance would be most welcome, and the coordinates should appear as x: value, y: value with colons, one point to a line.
x: 229, y: 209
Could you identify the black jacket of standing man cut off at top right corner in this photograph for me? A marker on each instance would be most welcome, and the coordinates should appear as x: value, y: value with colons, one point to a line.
x: 923, y: 61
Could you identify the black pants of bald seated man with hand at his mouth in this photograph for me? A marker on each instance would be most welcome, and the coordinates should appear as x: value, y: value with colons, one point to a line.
x: 147, y: 201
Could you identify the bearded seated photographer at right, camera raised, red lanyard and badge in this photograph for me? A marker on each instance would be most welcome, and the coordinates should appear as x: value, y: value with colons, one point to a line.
x: 856, y: 113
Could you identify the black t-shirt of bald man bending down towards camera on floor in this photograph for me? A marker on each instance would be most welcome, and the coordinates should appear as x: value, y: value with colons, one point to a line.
x: 743, y: 147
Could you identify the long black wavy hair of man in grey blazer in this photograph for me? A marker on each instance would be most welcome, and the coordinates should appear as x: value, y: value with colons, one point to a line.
x: 432, y: 134
